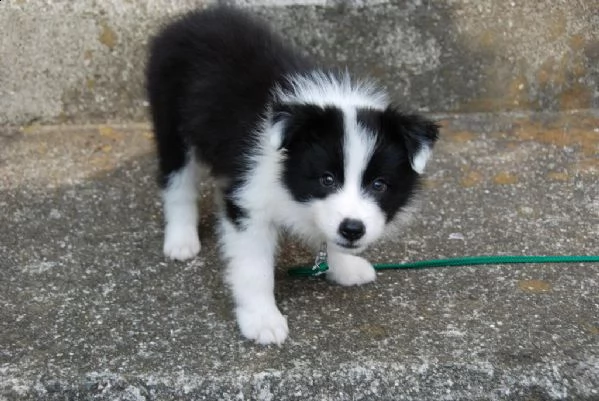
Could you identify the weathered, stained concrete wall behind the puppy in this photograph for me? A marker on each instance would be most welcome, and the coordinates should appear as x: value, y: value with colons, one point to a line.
x: 82, y: 61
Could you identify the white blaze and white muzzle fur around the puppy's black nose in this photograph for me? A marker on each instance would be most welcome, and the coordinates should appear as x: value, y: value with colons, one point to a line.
x: 351, y: 202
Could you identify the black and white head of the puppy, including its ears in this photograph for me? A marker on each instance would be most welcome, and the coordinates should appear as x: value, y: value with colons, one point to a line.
x: 354, y: 168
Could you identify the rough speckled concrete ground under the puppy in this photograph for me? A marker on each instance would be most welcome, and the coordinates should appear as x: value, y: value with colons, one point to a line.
x: 92, y: 310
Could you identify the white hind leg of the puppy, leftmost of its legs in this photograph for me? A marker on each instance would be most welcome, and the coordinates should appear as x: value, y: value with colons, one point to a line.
x: 180, y: 197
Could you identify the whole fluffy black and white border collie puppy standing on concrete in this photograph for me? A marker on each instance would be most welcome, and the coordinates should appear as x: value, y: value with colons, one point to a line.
x: 292, y: 147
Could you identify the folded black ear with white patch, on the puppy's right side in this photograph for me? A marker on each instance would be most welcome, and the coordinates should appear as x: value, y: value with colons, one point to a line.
x: 418, y: 134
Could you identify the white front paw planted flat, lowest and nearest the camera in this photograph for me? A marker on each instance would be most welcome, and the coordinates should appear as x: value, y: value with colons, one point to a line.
x: 263, y: 325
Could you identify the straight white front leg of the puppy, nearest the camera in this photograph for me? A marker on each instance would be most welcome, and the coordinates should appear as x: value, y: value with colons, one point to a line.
x: 250, y: 250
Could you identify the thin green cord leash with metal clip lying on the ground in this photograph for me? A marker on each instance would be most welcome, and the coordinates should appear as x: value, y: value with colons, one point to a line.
x: 321, y: 266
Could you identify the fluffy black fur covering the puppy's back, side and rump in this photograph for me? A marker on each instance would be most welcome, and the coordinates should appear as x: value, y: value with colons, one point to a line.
x: 209, y: 77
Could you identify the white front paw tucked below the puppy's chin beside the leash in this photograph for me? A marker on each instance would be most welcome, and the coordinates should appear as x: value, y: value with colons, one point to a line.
x: 350, y: 270
